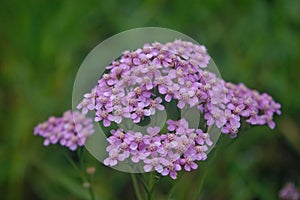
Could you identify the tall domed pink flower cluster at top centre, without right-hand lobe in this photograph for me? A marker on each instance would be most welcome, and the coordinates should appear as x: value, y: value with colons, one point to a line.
x: 127, y: 91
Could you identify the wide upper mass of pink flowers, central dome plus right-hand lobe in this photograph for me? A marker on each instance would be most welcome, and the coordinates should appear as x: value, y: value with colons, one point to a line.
x: 135, y: 83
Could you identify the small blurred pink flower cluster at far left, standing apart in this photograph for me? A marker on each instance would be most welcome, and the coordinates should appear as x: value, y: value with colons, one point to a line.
x: 70, y: 130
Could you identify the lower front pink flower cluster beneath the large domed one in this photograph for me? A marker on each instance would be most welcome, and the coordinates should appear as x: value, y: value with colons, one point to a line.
x: 165, y: 153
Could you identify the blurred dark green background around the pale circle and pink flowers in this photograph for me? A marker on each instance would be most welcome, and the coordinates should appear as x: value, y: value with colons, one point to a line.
x: 42, y: 44
